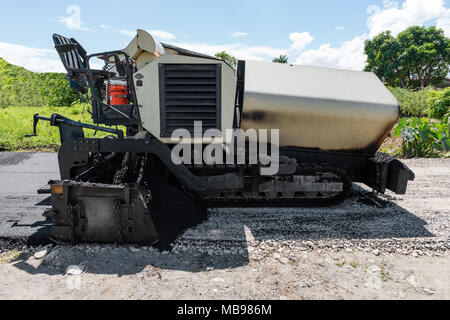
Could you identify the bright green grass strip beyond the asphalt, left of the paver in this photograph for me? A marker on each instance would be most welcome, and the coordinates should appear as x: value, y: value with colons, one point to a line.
x: 16, y: 122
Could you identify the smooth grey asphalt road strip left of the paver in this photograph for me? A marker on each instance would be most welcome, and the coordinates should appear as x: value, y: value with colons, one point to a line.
x: 21, y: 174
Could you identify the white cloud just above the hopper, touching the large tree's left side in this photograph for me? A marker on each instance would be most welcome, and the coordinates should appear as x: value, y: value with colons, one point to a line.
x: 348, y: 56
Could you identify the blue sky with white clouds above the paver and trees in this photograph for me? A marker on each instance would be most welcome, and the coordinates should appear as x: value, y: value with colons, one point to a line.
x: 321, y: 32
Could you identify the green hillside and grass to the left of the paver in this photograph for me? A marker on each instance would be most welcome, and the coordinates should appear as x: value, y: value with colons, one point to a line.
x: 24, y: 93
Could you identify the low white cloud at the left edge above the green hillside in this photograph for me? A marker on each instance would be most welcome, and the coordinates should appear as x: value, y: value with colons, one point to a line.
x: 34, y: 59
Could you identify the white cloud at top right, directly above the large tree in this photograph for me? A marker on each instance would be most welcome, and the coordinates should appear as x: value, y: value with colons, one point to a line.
x: 397, y: 18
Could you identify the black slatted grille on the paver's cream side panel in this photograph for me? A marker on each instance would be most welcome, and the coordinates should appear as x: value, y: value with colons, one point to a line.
x: 189, y: 93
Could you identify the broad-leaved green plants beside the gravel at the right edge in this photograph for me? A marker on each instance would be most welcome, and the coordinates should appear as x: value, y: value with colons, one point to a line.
x: 423, y: 139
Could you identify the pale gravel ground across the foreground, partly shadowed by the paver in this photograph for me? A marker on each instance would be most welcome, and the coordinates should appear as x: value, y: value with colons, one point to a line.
x: 355, y: 250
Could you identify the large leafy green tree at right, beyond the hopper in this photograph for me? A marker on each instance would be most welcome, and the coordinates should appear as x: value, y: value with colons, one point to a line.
x: 417, y: 57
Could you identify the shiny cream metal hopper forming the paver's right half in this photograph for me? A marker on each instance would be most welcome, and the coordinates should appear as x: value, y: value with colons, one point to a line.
x: 318, y: 108
